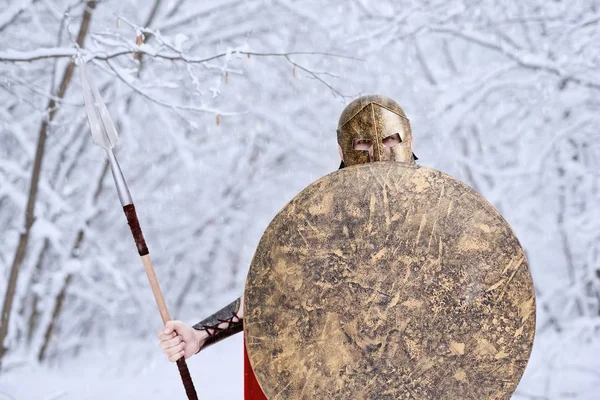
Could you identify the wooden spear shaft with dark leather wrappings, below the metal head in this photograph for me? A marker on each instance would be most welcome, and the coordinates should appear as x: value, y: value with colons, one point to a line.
x: 136, y: 231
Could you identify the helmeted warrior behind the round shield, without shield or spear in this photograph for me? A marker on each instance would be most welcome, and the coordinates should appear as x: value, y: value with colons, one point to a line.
x: 371, y: 128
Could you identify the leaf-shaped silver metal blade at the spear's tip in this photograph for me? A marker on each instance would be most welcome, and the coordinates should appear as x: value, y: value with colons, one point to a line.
x: 103, y: 129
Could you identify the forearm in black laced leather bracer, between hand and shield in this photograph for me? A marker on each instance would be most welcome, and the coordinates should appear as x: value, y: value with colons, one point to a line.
x: 222, y: 324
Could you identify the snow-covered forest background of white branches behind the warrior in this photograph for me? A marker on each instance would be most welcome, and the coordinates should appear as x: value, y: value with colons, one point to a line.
x: 226, y: 110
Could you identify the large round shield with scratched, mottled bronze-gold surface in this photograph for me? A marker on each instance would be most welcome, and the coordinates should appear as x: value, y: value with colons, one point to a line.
x: 389, y: 281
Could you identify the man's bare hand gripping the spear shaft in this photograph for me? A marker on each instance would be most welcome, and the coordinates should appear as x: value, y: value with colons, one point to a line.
x: 178, y: 339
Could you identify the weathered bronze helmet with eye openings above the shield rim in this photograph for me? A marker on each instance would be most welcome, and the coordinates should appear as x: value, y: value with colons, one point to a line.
x: 368, y: 125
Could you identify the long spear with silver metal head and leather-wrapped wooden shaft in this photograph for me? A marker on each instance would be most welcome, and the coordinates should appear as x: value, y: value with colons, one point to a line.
x: 105, y: 135
